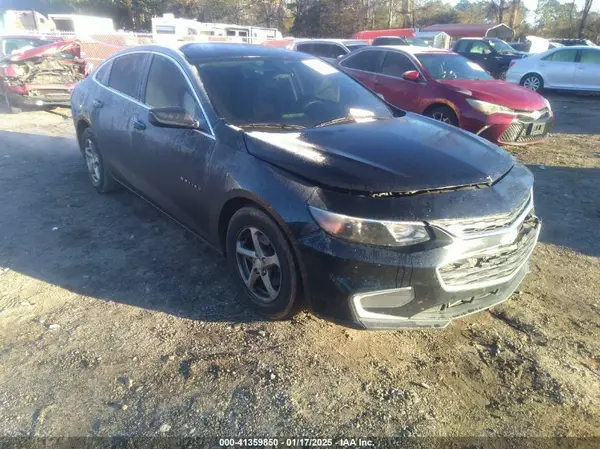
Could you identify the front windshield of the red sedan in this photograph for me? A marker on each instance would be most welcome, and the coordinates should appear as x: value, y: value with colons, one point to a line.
x: 447, y: 66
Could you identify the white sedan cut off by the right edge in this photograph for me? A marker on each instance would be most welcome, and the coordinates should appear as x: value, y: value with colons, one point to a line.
x: 565, y: 68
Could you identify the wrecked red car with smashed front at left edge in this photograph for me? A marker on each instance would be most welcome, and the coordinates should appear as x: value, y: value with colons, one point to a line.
x: 39, y: 72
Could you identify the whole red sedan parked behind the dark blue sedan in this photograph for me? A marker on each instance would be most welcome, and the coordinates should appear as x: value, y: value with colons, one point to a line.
x: 447, y: 87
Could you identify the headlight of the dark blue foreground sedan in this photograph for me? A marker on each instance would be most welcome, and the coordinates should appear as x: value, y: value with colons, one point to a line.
x: 370, y: 232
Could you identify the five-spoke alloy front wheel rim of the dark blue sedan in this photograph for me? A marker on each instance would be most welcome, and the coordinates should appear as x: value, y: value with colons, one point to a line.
x: 258, y: 264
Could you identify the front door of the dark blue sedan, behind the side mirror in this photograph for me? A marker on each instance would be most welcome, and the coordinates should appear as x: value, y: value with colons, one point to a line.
x: 175, y: 160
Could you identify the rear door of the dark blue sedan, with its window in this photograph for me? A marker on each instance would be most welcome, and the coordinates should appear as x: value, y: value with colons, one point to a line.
x: 114, y: 107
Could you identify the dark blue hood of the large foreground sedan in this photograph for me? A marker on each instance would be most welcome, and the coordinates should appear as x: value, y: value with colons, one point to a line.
x: 403, y: 155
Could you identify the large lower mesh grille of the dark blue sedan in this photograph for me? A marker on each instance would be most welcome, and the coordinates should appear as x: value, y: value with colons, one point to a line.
x: 492, y: 266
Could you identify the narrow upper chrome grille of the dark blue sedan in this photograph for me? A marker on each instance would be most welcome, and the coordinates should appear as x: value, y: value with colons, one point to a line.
x: 484, y: 224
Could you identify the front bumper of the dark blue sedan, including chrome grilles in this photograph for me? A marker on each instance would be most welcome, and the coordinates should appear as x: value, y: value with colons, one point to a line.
x: 481, y: 263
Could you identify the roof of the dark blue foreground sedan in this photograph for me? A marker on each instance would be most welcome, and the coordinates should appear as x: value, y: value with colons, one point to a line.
x: 200, y: 51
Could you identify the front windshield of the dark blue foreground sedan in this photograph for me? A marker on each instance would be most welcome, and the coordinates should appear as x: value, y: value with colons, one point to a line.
x: 286, y: 92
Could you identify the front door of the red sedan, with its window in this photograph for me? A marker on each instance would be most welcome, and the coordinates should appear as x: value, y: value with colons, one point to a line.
x: 390, y: 85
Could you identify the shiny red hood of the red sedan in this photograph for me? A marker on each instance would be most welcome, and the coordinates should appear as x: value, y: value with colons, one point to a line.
x: 500, y: 92
